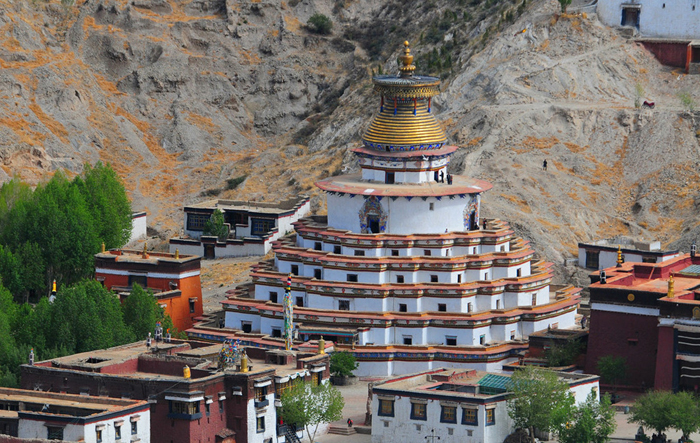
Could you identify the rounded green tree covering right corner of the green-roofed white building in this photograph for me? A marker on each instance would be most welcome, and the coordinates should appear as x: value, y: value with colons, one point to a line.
x: 539, y: 400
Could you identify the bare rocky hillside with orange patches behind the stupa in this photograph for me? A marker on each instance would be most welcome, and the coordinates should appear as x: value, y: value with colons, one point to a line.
x: 187, y: 98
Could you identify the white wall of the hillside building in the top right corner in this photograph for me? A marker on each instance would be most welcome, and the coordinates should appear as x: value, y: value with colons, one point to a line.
x: 676, y: 20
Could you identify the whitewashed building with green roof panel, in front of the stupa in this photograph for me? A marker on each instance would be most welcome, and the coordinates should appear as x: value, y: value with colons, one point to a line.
x: 456, y: 406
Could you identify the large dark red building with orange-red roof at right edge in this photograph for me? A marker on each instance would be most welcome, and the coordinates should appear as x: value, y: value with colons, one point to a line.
x: 649, y: 313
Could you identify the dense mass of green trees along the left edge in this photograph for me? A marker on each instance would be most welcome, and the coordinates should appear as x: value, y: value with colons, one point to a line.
x: 51, y: 233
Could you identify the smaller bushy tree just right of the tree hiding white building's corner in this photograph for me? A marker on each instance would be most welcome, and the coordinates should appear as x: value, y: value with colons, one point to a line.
x: 589, y: 422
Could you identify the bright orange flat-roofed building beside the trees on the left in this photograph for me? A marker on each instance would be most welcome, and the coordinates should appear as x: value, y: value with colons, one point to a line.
x: 173, y: 279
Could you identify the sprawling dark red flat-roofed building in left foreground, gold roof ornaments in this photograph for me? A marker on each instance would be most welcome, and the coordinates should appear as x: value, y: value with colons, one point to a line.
x: 212, y: 405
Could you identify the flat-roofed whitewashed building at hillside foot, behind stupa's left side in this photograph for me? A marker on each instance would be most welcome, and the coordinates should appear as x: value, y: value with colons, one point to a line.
x: 252, y: 226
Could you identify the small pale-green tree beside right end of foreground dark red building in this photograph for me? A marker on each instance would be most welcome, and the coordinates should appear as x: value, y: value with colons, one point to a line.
x: 309, y: 406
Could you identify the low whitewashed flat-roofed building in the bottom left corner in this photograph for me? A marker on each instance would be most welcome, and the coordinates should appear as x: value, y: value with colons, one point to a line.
x: 31, y: 415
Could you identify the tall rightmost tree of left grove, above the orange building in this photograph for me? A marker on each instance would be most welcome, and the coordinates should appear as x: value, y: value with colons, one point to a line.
x: 107, y: 202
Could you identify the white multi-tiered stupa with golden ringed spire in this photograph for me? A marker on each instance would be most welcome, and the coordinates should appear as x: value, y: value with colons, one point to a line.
x: 402, y: 272
